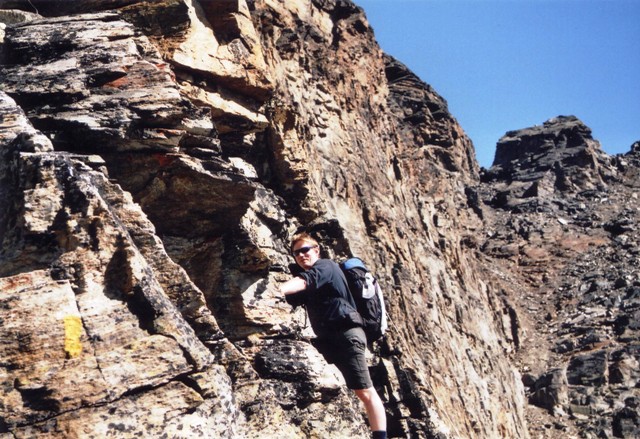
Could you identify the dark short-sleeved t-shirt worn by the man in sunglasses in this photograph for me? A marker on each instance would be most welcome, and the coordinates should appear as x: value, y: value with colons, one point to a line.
x: 329, y: 303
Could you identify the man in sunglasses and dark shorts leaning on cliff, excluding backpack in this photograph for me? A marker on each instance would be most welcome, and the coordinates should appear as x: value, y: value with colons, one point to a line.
x: 322, y: 288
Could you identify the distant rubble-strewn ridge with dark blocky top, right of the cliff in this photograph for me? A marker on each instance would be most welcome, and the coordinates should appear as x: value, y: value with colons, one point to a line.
x: 562, y: 222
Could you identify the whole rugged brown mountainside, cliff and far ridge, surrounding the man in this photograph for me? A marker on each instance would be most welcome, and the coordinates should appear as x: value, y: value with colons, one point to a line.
x: 157, y: 157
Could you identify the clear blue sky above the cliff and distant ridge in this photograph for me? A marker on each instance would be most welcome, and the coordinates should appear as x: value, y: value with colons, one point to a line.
x: 509, y: 64
